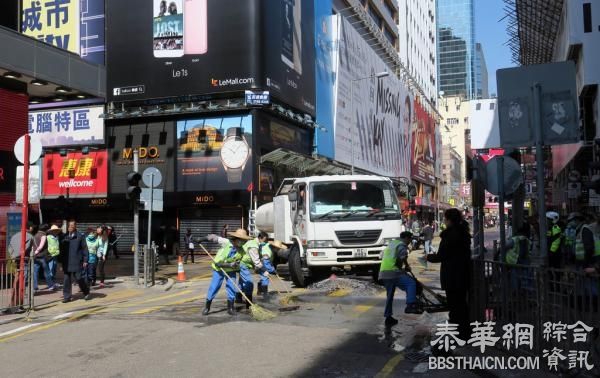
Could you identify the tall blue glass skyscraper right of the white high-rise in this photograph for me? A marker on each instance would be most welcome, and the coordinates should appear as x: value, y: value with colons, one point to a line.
x: 456, y: 48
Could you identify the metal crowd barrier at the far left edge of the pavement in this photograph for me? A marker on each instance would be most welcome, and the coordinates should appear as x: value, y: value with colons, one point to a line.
x: 11, y: 300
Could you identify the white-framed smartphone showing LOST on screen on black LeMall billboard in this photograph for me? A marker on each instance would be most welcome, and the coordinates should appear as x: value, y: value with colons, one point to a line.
x: 168, y: 28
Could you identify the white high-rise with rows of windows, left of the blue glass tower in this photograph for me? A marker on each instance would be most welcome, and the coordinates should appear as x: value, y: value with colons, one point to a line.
x: 417, y: 47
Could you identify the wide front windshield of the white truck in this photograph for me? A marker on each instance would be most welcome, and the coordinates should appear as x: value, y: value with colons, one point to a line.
x: 353, y: 200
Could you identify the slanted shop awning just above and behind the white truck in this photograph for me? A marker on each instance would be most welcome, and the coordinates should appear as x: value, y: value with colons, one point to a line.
x: 306, y: 165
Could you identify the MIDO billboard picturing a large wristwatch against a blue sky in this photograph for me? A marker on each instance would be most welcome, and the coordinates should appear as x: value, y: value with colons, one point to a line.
x: 214, y: 154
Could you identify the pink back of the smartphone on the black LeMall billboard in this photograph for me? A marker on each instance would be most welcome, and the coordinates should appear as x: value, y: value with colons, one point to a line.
x: 196, y: 27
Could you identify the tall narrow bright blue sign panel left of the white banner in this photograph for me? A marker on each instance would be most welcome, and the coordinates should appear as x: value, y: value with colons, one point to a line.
x: 325, y: 79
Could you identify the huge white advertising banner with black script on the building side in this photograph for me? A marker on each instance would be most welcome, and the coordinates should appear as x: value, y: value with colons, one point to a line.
x: 377, y: 120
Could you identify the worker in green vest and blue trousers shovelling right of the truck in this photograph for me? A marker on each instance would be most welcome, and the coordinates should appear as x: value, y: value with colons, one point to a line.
x: 393, y: 274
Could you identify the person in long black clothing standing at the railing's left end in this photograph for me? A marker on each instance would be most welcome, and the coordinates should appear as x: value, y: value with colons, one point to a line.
x: 454, y: 253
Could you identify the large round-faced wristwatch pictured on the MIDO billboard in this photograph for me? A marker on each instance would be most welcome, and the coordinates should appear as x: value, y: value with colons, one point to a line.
x: 235, y: 152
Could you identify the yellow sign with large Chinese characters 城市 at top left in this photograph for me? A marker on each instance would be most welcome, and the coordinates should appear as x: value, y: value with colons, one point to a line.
x: 55, y: 22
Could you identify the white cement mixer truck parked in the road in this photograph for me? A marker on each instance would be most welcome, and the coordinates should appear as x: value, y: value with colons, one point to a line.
x: 332, y: 221
